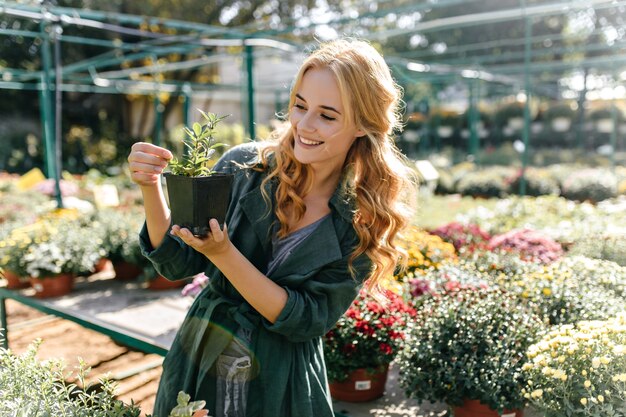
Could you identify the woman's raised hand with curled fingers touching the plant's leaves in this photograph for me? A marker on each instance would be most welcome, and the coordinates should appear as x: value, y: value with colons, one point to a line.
x: 146, y: 162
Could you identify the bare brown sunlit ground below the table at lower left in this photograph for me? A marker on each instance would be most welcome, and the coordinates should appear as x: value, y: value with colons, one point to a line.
x: 136, y: 373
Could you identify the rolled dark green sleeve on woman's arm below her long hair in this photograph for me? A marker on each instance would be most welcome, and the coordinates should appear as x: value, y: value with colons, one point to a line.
x: 314, y: 307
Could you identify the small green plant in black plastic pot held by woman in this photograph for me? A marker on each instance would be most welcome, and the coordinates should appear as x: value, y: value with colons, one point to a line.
x: 196, y: 193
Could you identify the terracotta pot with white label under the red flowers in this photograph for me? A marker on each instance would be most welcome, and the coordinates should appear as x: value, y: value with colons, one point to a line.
x: 361, y: 386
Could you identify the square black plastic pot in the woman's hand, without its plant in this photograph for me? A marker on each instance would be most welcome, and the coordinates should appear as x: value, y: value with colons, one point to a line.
x: 196, y: 200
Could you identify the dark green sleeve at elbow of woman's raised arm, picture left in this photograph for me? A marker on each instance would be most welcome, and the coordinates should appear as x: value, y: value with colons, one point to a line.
x: 172, y: 258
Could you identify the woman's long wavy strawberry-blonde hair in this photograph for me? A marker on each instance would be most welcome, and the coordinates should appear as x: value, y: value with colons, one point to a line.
x: 375, y: 172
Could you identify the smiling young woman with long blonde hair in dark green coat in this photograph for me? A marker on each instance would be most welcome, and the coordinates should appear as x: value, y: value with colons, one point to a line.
x: 313, y: 216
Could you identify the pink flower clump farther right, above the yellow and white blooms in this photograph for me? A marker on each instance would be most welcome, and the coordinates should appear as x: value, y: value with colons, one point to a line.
x: 529, y: 244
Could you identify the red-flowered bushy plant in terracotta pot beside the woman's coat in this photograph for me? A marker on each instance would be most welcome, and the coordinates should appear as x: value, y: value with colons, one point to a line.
x: 360, y: 347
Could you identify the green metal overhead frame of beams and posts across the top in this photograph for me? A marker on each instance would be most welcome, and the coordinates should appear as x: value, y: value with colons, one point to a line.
x: 517, y: 70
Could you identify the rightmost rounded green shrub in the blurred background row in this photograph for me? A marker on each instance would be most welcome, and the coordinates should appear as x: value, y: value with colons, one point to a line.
x: 590, y: 185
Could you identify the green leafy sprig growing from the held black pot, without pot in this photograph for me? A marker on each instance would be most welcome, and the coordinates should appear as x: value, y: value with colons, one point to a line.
x: 201, y: 148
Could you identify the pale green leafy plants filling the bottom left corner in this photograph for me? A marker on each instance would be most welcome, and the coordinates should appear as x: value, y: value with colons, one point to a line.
x: 38, y: 389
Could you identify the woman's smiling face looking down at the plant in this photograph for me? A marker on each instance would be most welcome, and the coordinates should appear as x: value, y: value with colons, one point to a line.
x: 323, y: 129
